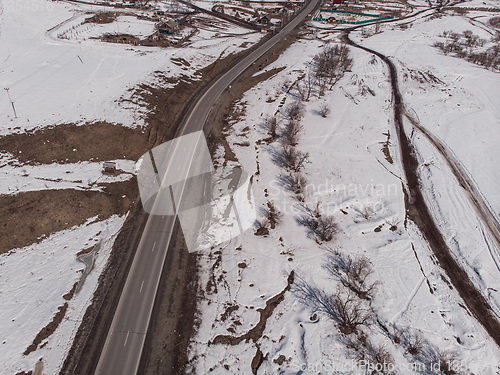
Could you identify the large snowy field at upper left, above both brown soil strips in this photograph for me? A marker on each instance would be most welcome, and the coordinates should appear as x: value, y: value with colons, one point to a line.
x: 50, y: 85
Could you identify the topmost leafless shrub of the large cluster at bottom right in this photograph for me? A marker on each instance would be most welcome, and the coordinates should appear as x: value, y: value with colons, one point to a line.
x: 353, y: 273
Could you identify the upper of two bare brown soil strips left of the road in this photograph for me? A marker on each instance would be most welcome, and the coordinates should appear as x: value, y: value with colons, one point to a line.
x: 70, y: 143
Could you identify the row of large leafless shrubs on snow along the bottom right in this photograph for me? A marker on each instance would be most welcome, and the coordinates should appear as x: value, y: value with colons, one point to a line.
x: 350, y: 308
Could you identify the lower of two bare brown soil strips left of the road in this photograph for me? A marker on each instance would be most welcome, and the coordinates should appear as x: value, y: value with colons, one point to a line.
x: 30, y: 216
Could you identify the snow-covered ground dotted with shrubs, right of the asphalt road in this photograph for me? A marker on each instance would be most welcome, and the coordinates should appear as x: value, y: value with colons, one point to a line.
x: 353, y: 180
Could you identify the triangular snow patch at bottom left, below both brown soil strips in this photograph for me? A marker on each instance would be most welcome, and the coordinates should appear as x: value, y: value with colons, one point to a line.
x: 33, y: 281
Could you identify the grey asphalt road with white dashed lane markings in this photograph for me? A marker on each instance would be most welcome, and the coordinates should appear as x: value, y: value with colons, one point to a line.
x: 125, y: 340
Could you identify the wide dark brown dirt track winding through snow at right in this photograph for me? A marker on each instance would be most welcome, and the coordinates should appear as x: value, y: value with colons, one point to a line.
x: 418, y: 211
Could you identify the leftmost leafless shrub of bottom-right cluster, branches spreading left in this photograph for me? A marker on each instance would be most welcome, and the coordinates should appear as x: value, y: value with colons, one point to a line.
x: 343, y: 307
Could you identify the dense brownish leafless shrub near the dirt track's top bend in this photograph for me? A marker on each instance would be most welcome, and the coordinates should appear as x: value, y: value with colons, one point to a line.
x: 332, y: 63
